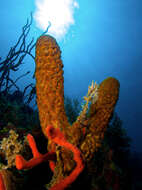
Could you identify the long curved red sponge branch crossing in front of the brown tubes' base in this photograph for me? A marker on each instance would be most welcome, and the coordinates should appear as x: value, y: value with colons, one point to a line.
x: 55, y: 135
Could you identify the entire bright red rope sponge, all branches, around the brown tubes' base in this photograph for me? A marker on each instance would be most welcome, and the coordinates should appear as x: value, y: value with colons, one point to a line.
x: 55, y: 135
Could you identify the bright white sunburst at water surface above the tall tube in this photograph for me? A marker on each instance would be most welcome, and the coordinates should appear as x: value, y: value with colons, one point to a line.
x: 58, y: 12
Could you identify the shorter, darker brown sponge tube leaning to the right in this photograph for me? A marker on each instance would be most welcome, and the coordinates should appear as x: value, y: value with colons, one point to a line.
x: 100, y: 115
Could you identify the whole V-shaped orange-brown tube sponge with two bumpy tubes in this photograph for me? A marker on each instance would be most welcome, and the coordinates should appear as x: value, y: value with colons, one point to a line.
x: 50, y: 102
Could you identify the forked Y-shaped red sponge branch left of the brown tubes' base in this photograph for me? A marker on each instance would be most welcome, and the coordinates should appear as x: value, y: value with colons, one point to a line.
x: 21, y: 163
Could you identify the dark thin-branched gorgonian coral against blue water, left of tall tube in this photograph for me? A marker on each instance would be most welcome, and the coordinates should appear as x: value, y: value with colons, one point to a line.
x: 15, y: 58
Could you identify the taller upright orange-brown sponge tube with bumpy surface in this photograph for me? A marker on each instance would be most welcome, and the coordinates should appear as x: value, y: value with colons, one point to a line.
x: 49, y: 83
